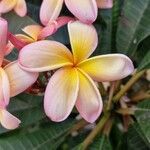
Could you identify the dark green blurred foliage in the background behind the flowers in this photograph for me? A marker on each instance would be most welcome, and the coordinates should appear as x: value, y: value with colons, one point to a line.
x: 125, y: 29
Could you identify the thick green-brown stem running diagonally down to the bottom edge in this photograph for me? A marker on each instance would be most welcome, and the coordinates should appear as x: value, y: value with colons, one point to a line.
x: 96, y: 131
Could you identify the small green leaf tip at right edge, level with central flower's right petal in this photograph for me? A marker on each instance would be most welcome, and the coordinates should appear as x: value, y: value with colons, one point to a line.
x: 145, y: 64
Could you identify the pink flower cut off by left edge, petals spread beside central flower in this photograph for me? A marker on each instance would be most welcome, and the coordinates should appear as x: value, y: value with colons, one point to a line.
x: 13, y: 80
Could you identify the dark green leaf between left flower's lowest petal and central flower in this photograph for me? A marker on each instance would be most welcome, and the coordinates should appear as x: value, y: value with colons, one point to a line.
x: 28, y: 108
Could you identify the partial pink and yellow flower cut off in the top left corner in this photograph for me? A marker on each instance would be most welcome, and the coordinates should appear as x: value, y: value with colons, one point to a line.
x: 19, y: 6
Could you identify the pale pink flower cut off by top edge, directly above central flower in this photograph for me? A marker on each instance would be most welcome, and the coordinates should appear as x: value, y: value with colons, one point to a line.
x: 84, y: 10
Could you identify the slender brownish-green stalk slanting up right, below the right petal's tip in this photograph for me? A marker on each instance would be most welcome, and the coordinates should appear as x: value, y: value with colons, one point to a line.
x: 129, y: 84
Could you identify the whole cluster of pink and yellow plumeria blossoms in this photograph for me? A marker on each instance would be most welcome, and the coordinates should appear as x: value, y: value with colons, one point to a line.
x: 73, y: 81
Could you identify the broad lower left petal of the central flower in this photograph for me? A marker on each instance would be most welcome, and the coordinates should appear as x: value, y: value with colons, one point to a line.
x: 61, y: 94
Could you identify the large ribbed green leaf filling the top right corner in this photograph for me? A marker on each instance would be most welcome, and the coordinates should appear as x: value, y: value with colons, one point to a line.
x: 134, y: 25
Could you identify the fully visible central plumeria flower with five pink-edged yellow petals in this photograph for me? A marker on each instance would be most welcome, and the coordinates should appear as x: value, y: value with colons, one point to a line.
x: 73, y: 84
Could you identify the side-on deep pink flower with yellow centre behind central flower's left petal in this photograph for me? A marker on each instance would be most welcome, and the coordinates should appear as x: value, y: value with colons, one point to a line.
x: 35, y: 33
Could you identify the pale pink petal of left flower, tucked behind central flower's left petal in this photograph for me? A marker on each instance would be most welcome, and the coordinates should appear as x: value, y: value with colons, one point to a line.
x: 19, y: 79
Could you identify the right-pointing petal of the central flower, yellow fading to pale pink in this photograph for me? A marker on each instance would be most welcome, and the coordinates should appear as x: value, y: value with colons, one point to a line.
x: 108, y: 67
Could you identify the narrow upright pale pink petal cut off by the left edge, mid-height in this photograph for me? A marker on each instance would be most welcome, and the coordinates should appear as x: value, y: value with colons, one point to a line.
x: 4, y: 89
